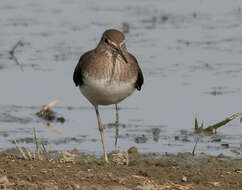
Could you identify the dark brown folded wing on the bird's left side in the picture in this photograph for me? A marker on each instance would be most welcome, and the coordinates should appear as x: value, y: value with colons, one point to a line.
x: 77, y: 75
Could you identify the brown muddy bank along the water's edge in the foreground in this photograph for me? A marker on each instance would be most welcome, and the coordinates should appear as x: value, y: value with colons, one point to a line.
x: 144, y: 171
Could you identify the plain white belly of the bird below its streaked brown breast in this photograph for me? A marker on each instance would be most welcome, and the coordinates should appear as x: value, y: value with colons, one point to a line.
x: 105, y: 92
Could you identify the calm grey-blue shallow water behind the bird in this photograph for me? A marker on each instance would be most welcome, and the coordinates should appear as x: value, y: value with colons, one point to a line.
x: 190, y: 53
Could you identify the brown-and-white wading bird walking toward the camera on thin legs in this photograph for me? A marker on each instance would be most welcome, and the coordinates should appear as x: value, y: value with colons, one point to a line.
x: 108, y: 74
